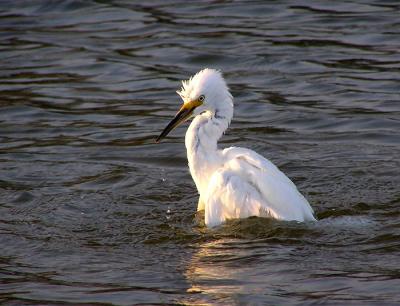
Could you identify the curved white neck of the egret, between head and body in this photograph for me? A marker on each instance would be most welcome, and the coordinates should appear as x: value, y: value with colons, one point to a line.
x: 201, y: 143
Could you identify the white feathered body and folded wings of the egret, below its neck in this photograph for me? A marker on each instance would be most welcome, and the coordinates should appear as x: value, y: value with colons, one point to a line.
x: 248, y: 184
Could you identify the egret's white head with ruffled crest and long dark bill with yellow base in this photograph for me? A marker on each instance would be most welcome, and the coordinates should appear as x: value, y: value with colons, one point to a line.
x: 203, y: 92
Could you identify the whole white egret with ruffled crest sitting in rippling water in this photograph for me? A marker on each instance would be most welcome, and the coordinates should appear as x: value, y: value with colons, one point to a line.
x: 233, y: 182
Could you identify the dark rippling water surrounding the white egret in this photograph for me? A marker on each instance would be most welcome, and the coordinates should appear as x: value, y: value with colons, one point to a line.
x: 93, y: 211
